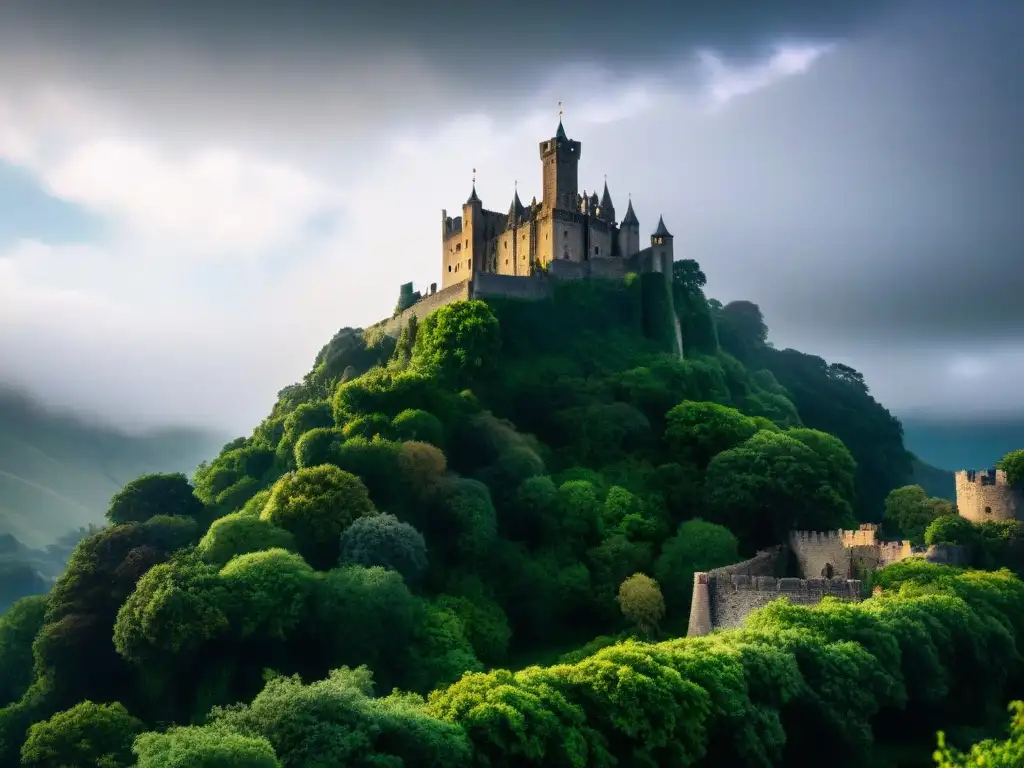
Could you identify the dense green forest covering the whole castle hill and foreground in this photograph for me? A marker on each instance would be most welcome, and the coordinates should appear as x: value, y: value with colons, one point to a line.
x: 475, y: 546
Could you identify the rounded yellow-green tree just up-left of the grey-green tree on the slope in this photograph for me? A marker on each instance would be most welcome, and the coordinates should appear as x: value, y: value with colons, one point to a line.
x: 317, y: 505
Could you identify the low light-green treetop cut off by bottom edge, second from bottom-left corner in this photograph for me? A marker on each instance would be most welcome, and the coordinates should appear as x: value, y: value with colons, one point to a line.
x: 203, y: 747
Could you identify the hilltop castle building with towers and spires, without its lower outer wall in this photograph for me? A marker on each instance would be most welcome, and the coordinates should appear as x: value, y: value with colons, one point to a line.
x: 566, y: 226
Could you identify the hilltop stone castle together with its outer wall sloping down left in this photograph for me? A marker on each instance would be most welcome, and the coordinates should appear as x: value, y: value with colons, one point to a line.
x: 569, y: 235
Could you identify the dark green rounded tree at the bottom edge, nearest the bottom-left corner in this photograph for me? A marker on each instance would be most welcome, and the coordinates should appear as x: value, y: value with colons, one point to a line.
x: 88, y: 735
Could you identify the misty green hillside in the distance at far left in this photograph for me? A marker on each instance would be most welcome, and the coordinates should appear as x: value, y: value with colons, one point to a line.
x: 59, y: 472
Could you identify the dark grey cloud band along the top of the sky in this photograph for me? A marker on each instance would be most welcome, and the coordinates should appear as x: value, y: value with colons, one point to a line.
x: 346, y: 68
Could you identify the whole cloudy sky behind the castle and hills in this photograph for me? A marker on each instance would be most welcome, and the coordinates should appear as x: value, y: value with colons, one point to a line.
x: 195, y: 198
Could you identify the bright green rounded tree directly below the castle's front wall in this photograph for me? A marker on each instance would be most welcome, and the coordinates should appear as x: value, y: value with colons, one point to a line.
x: 458, y: 344
